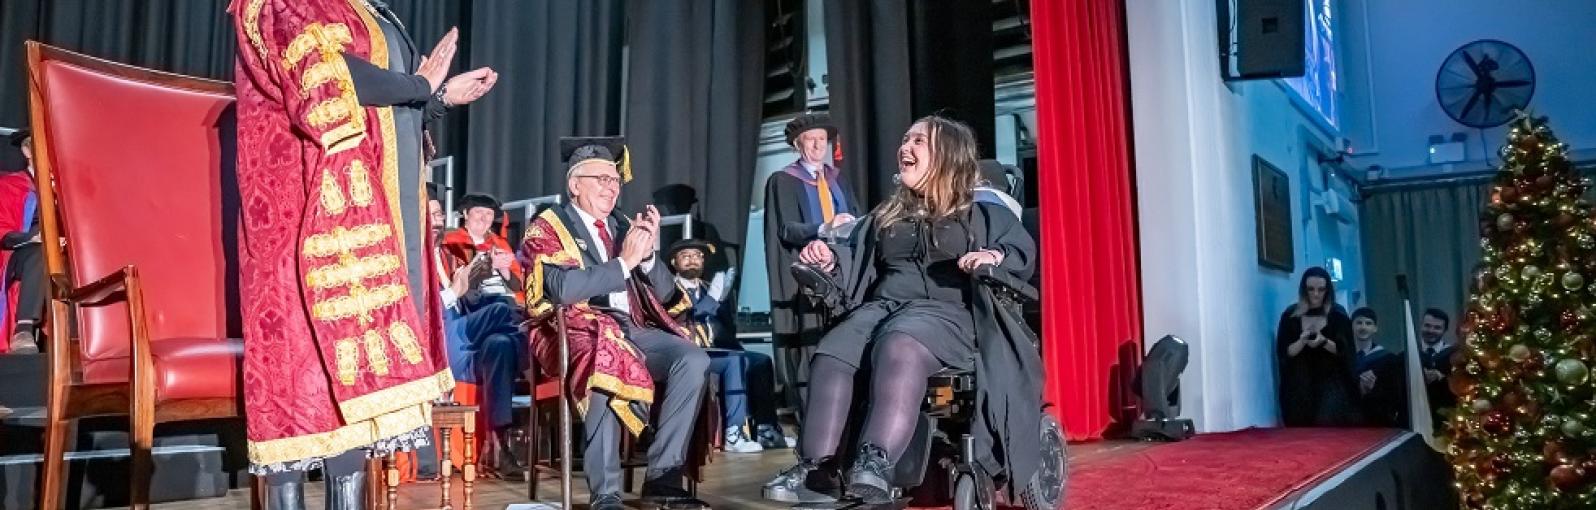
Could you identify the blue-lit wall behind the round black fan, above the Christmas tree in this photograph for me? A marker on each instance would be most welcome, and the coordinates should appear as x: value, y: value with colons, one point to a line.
x: 1393, y: 52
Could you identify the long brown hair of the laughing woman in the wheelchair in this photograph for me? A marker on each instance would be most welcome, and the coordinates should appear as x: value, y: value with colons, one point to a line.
x: 949, y: 186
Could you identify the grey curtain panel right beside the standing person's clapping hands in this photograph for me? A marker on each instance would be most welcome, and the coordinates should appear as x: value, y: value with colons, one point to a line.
x: 559, y: 66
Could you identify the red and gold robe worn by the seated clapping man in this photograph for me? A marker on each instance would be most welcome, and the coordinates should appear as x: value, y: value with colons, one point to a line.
x: 602, y: 358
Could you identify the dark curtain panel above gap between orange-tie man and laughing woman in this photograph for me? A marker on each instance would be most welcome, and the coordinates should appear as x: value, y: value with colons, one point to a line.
x: 869, y: 74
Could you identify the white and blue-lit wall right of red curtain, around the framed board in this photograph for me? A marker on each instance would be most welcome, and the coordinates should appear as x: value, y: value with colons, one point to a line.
x: 1195, y: 139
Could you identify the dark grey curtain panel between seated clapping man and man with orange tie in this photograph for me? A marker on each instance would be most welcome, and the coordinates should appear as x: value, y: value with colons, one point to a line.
x: 695, y: 93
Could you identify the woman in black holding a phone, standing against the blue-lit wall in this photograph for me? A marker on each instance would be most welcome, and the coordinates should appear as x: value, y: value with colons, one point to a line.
x: 1316, y: 353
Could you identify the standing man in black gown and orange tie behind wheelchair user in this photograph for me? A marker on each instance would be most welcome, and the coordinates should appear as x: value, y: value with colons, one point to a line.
x: 804, y: 202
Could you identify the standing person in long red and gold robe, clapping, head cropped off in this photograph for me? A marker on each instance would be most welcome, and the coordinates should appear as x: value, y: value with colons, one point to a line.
x: 344, y: 348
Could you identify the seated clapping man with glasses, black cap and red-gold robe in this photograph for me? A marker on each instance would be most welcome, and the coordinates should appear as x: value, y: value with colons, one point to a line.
x: 599, y: 270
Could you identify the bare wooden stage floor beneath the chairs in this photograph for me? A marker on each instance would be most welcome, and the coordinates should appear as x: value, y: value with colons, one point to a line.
x: 732, y: 482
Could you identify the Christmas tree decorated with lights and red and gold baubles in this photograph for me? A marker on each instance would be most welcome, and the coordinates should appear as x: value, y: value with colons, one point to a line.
x: 1523, y: 434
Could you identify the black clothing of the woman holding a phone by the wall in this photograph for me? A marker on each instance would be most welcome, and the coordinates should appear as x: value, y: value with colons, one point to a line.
x: 1317, y: 388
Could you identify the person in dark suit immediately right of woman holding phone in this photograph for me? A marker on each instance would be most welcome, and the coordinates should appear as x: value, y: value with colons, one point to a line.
x: 1380, y: 374
